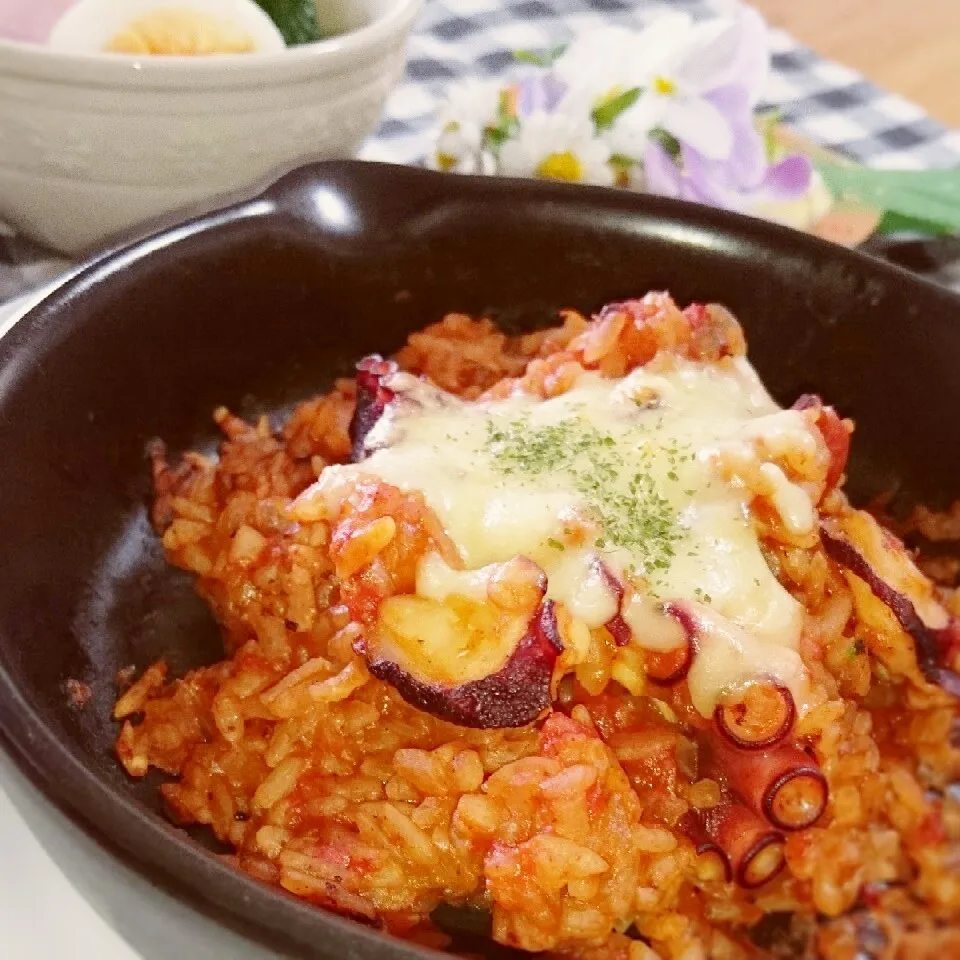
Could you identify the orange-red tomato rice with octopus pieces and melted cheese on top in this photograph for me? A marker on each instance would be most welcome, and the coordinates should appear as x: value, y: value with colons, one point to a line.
x: 573, y: 632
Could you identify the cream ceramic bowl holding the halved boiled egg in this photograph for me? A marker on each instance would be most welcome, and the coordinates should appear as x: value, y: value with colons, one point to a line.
x: 91, y: 146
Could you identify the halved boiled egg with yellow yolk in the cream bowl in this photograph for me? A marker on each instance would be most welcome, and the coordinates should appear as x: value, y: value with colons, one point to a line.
x: 166, y: 28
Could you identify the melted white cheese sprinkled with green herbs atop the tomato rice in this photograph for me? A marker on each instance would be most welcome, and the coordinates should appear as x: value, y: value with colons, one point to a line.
x: 616, y: 481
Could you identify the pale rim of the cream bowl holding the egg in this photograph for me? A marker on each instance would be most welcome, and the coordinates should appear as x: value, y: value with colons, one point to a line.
x: 335, y: 54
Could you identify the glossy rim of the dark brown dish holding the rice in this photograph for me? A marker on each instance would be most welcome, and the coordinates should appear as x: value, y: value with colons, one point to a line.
x: 61, y: 773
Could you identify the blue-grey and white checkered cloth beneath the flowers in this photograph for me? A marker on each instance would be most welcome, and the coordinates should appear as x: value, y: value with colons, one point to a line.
x: 455, y: 39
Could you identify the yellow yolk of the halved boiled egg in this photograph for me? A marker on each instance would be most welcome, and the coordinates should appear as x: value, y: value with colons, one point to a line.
x: 180, y: 33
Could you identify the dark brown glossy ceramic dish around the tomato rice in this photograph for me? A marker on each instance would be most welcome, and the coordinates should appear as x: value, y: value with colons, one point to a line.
x: 263, y: 304
